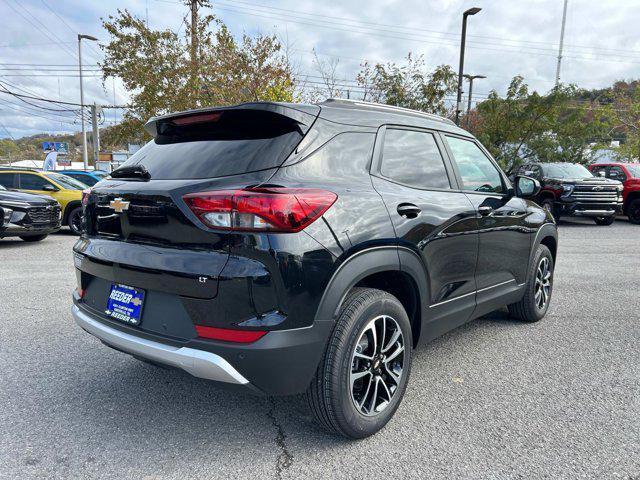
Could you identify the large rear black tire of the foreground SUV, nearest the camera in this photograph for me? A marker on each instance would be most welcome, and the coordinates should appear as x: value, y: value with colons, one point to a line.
x: 330, y: 396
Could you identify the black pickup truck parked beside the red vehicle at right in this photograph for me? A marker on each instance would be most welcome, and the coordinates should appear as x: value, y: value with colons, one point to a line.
x: 569, y: 189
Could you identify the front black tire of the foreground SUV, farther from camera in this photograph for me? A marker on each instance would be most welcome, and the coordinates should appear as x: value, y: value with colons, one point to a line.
x: 528, y: 309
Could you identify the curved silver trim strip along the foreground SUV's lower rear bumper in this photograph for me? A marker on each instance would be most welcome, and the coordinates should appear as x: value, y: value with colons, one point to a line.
x: 196, y: 362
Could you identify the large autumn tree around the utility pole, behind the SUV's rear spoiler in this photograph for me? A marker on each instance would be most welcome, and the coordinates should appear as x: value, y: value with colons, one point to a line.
x: 157, y: 69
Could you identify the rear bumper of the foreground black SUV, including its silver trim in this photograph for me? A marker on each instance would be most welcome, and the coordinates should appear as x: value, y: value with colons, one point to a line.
x: 283, y: 362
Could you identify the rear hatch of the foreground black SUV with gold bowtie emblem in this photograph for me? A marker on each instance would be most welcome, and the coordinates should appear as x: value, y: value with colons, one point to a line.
x: 139, y: 230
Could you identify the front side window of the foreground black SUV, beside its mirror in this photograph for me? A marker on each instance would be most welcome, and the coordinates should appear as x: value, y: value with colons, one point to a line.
x: 478, y: 173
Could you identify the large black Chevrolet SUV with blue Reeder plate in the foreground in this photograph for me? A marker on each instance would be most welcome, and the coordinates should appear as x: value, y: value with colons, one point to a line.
x: 292, y: 248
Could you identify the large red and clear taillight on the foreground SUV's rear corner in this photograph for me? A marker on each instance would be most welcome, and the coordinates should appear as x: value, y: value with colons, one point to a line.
x: 261, y: 209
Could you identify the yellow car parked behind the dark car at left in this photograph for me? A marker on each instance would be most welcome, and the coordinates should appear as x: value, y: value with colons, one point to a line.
x: 66, y: 190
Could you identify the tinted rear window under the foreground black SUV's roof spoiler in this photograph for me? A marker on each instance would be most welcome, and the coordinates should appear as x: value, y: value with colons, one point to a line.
x: 223, y: 143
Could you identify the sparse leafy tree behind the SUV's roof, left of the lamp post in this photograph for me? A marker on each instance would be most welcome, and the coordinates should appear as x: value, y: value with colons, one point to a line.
x: 409, y: 85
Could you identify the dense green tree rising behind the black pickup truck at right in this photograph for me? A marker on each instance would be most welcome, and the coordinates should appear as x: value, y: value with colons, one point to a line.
x: 529, y: 126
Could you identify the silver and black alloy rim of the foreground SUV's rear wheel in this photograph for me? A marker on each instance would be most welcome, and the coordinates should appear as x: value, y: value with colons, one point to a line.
x: 376, y: 365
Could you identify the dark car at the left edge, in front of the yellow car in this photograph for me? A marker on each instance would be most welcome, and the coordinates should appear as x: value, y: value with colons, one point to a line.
x: 30, y: 217
